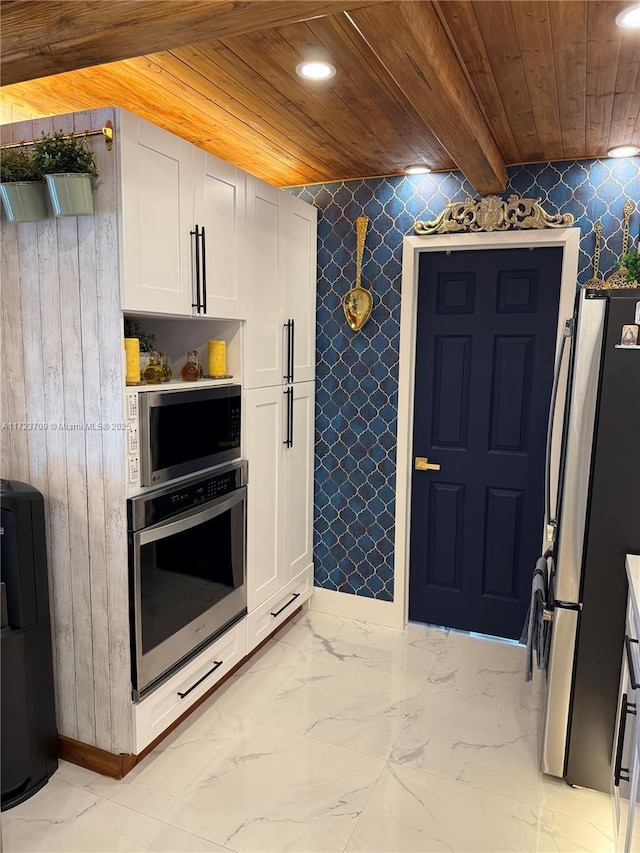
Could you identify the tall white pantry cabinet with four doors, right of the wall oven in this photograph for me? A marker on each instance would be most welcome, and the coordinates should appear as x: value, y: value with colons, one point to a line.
x: 279, y: 405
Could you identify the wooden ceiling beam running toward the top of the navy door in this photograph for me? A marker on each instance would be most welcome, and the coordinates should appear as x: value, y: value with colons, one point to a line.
x: 425, y: 66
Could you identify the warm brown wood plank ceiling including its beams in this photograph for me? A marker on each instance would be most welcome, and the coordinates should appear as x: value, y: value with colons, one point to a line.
x: 470, y: 84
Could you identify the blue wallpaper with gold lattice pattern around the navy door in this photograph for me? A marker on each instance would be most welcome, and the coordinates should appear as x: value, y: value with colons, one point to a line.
x: 357, y: 372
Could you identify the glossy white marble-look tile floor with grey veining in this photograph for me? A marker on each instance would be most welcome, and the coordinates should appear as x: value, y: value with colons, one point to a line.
x: 337, y: 736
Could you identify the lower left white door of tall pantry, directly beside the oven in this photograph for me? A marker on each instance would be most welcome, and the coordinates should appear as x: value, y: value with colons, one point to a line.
x: 264, y: 436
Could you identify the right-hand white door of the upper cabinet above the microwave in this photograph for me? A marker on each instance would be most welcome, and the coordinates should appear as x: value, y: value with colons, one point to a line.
x: 220, y: 208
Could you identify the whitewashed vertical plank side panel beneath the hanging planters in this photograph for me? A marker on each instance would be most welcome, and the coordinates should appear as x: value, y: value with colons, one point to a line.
x: 62, y: 364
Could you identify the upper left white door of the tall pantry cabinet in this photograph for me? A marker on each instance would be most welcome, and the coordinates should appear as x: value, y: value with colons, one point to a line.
x: 265, y: 331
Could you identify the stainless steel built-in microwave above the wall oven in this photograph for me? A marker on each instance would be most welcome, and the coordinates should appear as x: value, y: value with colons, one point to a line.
x: 186, y: 431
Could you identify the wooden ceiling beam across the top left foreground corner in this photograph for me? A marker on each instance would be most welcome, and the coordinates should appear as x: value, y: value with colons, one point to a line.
x: 45, y: 37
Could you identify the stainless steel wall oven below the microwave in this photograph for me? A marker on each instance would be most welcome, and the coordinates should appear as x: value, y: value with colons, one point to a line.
x: 186, y: 569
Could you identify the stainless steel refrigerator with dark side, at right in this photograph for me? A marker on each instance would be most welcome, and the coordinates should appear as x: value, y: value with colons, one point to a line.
x: 597, y: 522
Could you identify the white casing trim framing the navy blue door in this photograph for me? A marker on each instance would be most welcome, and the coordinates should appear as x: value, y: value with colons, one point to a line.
x: 566, y: 238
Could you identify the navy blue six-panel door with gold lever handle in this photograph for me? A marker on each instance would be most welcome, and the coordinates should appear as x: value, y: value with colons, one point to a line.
x: 484, y: 369
